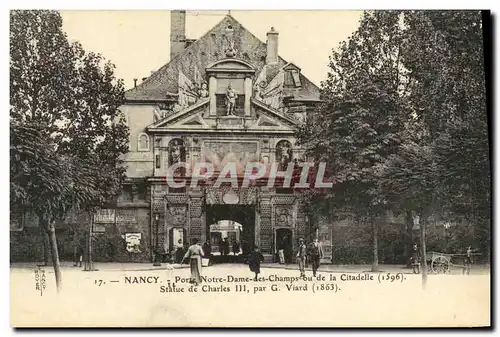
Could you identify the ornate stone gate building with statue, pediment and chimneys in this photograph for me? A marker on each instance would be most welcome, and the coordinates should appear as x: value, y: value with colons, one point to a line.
x: 181, y: 113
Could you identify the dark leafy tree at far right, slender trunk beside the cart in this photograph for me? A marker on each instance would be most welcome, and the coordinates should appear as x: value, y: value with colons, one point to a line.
x: 444, y: 163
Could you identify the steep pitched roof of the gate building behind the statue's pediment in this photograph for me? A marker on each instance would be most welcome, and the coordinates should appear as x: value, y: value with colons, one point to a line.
x: 208, y: 49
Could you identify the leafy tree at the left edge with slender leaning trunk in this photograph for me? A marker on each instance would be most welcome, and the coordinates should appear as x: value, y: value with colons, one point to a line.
x: 67, y: 134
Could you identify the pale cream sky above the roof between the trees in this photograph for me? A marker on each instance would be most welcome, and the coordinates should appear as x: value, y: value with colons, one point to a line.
x: 137, y: 42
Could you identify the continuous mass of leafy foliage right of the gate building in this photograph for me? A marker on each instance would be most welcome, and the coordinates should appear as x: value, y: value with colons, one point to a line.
x: 404, y: 124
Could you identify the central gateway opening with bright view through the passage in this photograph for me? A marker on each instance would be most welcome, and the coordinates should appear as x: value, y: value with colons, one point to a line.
x: 231, y: 232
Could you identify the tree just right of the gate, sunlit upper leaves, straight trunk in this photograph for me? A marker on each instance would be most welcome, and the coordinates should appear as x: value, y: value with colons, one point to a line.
x: 358, y: 125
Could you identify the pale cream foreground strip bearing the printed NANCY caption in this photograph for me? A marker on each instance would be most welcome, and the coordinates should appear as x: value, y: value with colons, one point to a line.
x: 125, y: 298
